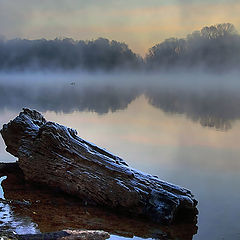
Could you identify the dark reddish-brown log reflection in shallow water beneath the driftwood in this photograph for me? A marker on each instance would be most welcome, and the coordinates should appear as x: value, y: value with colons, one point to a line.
x: 54, y: 210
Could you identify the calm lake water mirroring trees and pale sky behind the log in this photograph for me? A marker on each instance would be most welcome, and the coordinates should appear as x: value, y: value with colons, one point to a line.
x: 187, y: 133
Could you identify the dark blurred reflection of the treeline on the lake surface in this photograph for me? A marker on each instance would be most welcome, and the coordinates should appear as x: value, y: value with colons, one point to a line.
x: 217, y: 108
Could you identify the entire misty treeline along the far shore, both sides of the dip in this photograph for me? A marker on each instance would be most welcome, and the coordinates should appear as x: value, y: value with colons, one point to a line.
x: 215, y: 47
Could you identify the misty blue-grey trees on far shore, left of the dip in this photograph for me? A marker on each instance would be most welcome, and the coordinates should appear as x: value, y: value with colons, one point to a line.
x: 66, y: 54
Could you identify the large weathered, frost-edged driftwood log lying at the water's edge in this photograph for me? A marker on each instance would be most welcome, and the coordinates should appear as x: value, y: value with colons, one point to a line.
x: 54, y: 155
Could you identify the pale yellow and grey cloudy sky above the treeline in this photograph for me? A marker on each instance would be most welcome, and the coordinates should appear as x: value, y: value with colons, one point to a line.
x: 139, y: 23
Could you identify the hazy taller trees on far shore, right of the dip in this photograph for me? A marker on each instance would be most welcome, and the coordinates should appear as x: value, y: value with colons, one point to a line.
x: 216, y: 47
